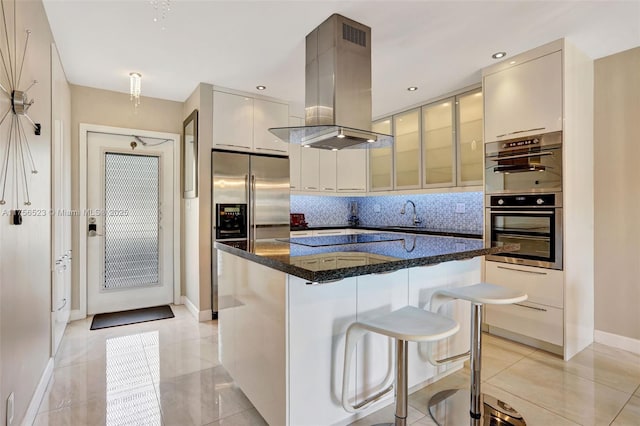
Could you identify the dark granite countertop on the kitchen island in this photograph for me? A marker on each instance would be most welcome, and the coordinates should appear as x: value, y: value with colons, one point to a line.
x: 321, y: 259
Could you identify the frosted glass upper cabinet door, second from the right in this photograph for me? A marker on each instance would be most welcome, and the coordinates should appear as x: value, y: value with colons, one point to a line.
x: 438, y: 142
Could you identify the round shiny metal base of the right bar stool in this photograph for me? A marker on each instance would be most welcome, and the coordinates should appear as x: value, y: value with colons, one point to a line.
x: 451, y: 408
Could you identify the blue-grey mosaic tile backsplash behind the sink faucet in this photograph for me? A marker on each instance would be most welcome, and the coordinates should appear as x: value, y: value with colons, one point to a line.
x: 459, y: 211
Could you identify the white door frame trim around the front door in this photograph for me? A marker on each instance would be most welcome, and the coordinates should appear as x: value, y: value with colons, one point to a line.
x: 85, y: 129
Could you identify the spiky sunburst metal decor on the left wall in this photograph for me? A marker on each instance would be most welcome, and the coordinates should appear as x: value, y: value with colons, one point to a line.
x: 16, y: 160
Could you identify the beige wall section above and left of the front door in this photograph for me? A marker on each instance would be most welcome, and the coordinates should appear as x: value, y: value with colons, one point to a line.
x: 104, y: 107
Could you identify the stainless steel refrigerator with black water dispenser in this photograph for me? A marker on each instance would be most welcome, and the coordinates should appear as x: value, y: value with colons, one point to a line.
x: 250, y: 201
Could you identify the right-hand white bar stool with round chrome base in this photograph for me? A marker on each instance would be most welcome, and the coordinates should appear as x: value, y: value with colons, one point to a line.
x: 459, y: 406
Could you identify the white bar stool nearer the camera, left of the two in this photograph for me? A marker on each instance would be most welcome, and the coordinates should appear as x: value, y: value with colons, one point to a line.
x: 408, y: 324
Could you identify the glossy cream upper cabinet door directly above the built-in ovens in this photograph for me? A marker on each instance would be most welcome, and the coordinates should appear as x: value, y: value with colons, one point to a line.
x: 524, y: 100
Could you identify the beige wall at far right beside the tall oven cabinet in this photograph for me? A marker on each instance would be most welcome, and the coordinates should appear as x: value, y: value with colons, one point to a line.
x: 617, y: 194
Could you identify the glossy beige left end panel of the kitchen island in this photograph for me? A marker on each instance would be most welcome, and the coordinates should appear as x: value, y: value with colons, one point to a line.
x: 252, y: 326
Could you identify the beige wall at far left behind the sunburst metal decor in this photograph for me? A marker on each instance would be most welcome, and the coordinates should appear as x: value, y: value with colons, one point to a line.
x: 25, y: 251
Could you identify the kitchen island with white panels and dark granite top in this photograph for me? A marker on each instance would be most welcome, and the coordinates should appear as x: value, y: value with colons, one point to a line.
x: 285, y: 305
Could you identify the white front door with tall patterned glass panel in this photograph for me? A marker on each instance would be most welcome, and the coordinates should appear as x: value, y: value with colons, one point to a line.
x: 129, y: 222
